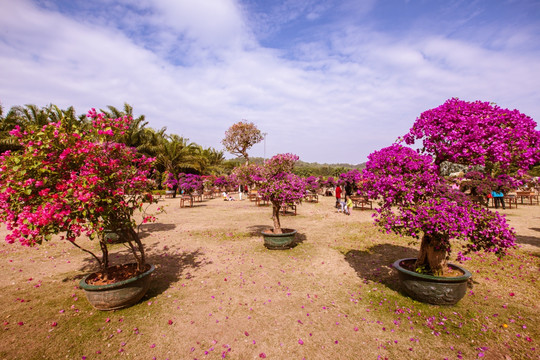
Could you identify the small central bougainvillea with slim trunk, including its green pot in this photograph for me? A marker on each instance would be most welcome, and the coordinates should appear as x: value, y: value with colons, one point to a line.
x: 281, y: 187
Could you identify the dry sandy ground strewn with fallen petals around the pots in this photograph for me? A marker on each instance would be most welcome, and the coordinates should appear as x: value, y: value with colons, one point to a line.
x: 219, y: 293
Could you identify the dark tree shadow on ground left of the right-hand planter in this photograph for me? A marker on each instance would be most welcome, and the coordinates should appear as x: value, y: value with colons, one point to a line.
x: 375, y: 264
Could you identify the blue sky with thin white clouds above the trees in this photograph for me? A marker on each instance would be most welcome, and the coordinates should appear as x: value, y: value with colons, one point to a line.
x: 330, y: 81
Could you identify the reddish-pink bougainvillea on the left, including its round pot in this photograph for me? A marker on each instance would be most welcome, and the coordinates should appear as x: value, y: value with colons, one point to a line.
x: 78, y: 182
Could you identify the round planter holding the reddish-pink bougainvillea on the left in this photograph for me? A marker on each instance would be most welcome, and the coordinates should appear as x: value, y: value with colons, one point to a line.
x: 118, y: 295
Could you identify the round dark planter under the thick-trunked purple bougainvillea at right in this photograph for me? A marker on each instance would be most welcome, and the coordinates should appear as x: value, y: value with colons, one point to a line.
x: 433, y: 289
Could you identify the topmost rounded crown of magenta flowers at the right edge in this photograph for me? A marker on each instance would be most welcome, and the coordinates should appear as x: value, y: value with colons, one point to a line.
x: 477, y: 133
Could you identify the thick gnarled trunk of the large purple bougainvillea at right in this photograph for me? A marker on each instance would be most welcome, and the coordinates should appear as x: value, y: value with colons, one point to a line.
x: 433, y: 255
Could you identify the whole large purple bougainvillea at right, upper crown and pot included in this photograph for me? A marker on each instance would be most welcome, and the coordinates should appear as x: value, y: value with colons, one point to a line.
x: 416, y: 201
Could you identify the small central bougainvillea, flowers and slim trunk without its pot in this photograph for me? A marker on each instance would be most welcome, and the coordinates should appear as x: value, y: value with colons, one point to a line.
x: 280, y: 186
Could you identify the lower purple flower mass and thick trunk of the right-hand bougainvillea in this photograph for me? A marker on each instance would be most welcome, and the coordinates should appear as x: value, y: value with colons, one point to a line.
x: 415, y: 201
